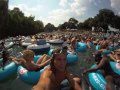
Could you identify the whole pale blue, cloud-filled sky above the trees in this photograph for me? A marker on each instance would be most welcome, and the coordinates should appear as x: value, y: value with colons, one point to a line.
x: 60, y: 11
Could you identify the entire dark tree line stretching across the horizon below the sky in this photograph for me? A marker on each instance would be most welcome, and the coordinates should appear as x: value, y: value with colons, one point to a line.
x: 14, y: 22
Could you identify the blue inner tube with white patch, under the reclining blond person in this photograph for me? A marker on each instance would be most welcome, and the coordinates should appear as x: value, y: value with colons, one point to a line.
x: 30, y: 77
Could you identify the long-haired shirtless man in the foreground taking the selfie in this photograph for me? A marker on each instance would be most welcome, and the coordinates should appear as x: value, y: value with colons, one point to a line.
x: 53, y: 75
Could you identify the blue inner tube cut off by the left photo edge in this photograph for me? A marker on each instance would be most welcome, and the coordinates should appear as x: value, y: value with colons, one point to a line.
x: 8, y: 71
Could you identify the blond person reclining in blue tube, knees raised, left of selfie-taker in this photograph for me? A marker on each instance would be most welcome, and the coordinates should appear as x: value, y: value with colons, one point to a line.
x: 27, y: 60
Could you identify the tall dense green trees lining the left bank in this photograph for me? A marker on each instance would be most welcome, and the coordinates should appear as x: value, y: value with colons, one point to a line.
x: 18, y: 23
